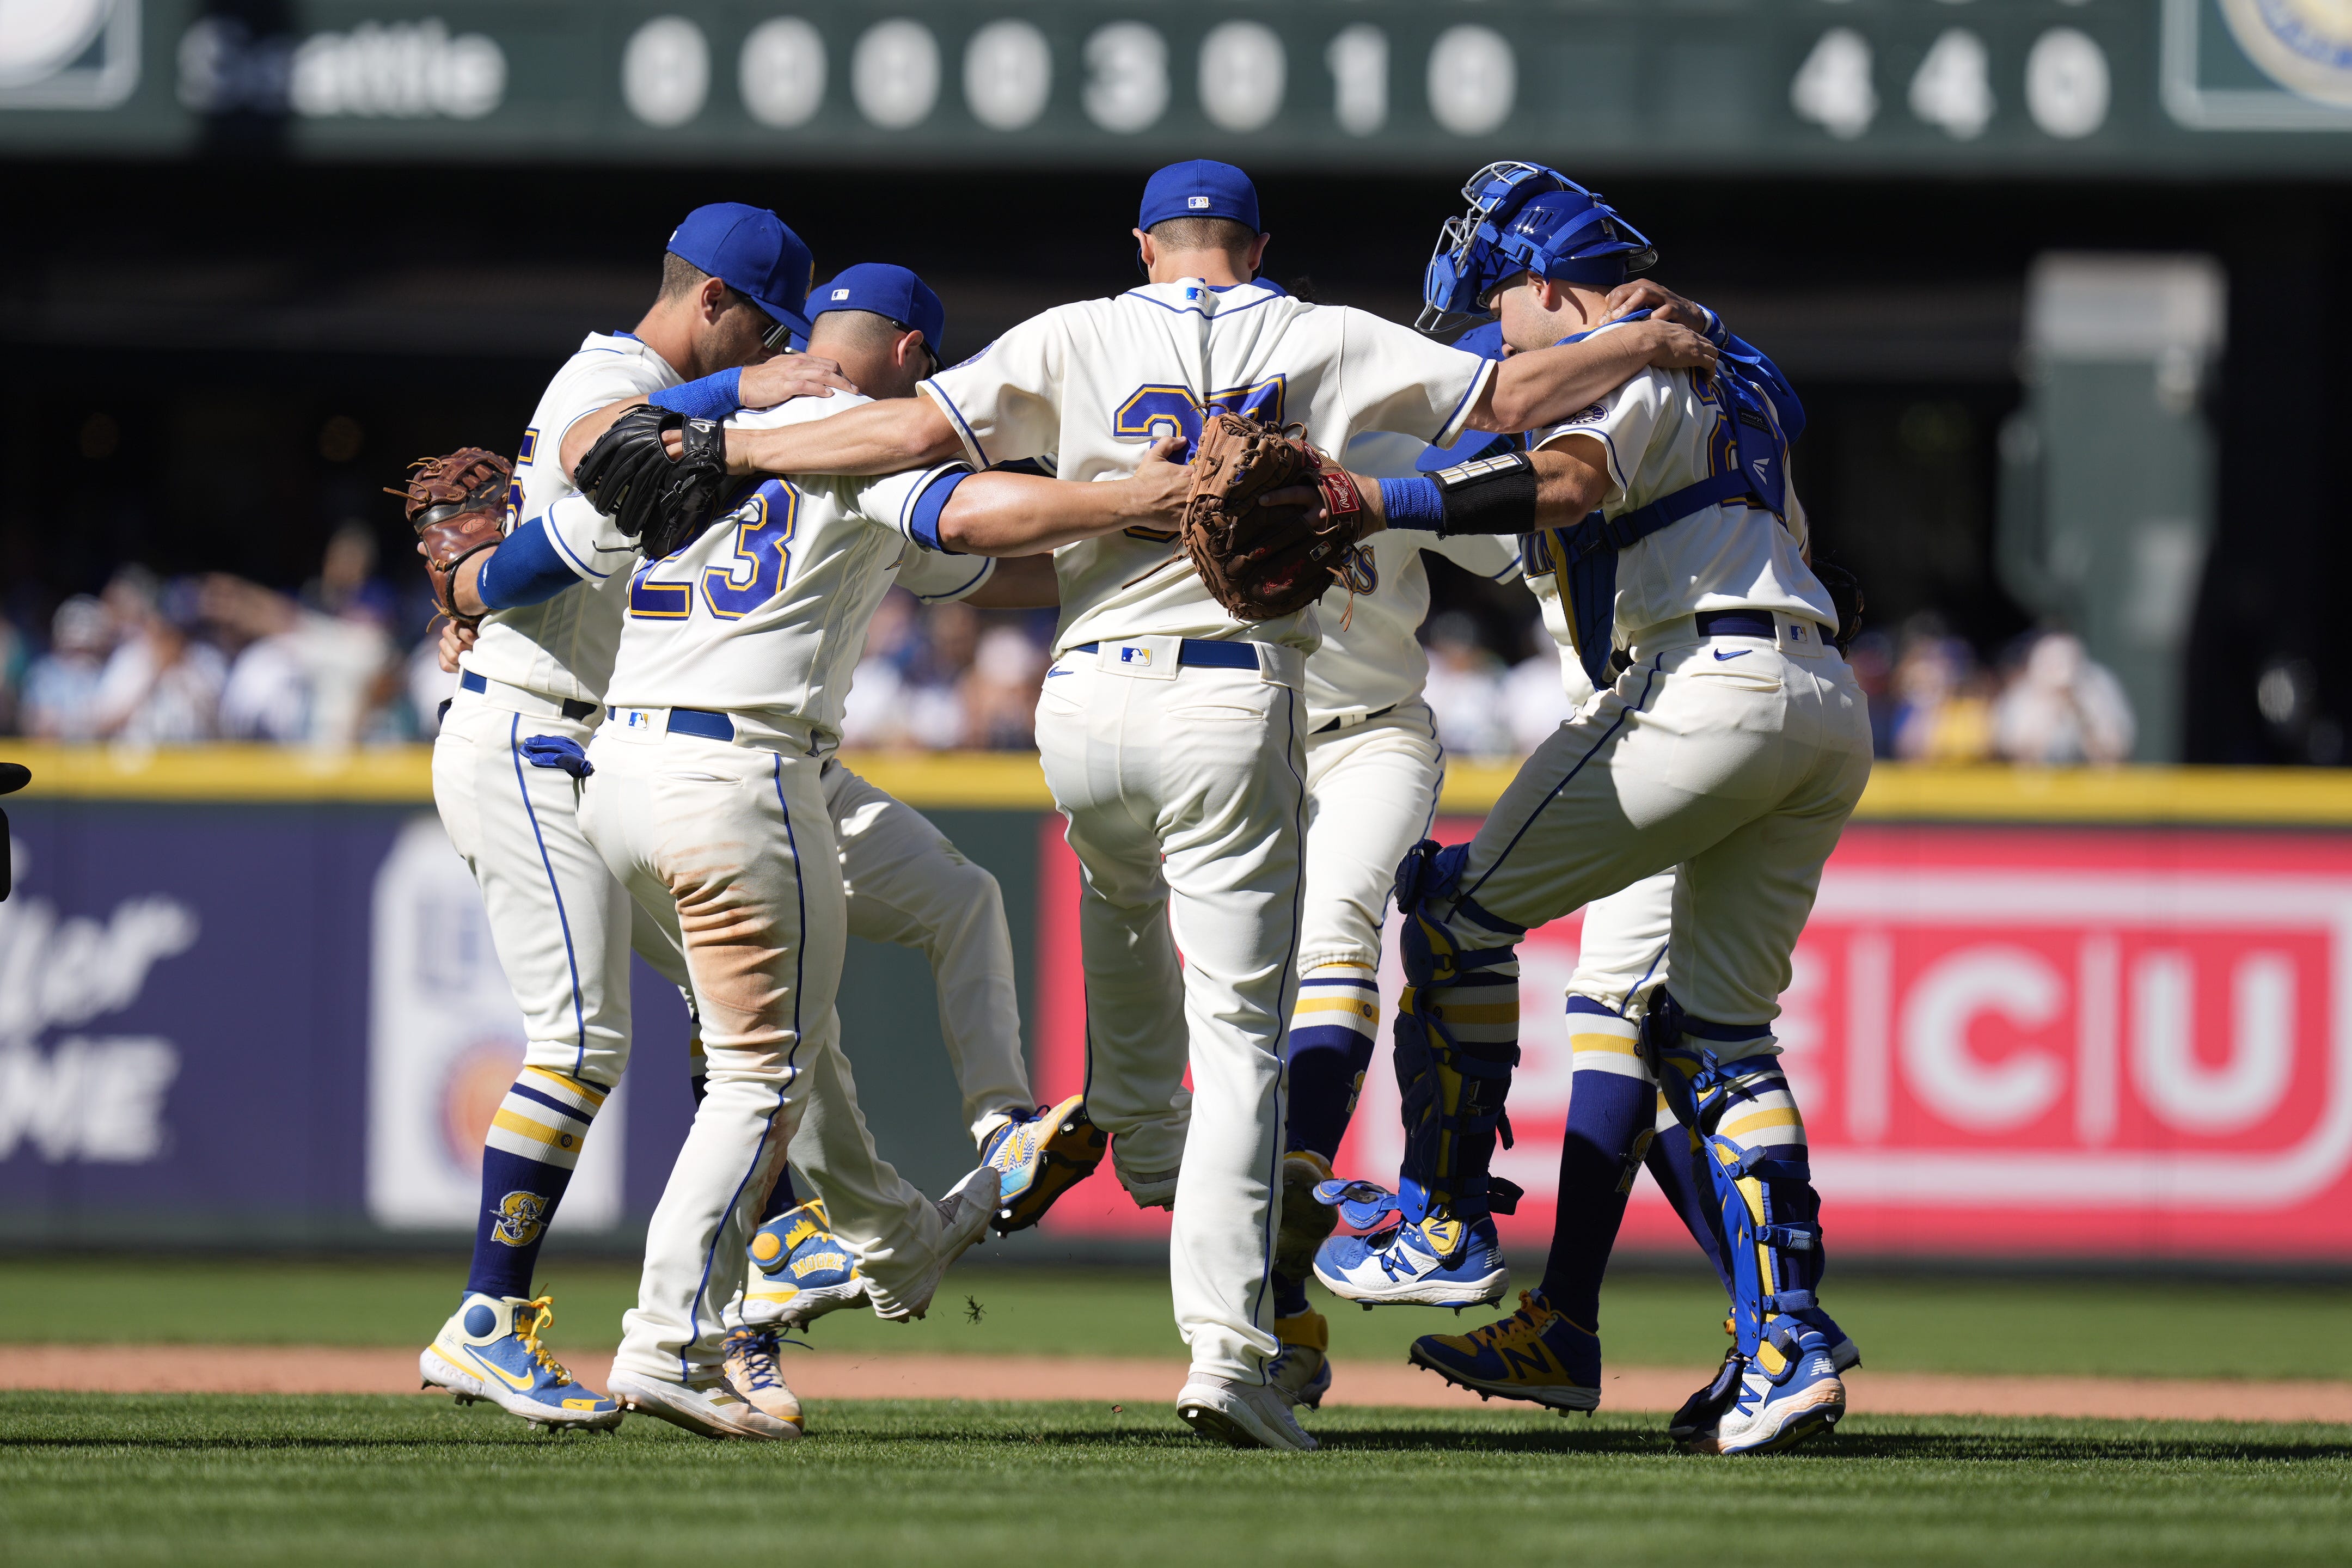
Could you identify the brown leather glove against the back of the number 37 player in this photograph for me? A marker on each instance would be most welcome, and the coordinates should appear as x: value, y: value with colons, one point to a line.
x: 1262, y: 561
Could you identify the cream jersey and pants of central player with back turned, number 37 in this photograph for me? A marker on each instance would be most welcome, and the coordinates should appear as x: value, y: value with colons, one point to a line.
x: 1182, y: 779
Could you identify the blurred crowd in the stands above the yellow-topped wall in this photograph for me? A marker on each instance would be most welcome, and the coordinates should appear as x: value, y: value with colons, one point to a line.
x: 352, y: 662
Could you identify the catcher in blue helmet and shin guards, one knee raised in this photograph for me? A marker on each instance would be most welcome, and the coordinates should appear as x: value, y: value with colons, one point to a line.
x: 1735, y: 746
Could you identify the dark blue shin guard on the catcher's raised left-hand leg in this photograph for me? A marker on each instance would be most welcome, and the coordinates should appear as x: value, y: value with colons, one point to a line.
x: 1457, y: 1045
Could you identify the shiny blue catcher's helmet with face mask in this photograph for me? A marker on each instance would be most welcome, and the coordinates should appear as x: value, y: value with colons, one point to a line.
x: 1525, y: 220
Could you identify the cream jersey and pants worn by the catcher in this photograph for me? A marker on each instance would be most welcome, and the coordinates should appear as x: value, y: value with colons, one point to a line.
x: 1730, y: 756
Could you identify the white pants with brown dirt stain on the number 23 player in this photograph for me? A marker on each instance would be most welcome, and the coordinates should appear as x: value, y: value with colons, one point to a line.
x: 740, y: 845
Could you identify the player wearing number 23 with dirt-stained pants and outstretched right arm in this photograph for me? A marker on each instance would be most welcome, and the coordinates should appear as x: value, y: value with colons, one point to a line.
x: 704, y: 796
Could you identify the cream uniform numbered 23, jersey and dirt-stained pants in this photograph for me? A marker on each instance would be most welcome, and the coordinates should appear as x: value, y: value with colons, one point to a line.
x: 707, y: 798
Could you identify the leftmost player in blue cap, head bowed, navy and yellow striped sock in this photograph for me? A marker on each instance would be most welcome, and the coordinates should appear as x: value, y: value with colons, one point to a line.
x: 561, y: 925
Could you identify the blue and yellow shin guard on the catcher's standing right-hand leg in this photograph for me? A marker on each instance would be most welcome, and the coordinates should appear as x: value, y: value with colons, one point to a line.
x: 1753, y: 1153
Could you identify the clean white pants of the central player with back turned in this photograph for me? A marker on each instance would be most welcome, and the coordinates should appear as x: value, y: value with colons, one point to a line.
x: 1184, y: 789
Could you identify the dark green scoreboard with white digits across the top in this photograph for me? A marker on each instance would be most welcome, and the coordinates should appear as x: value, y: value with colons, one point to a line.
x: 2019, y: 88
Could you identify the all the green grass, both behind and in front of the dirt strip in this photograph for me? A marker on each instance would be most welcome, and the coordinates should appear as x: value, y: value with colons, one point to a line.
x: 403, y: 1480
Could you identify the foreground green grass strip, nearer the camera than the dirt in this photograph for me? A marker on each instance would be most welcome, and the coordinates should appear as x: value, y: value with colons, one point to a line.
x: 222, y: 1480
